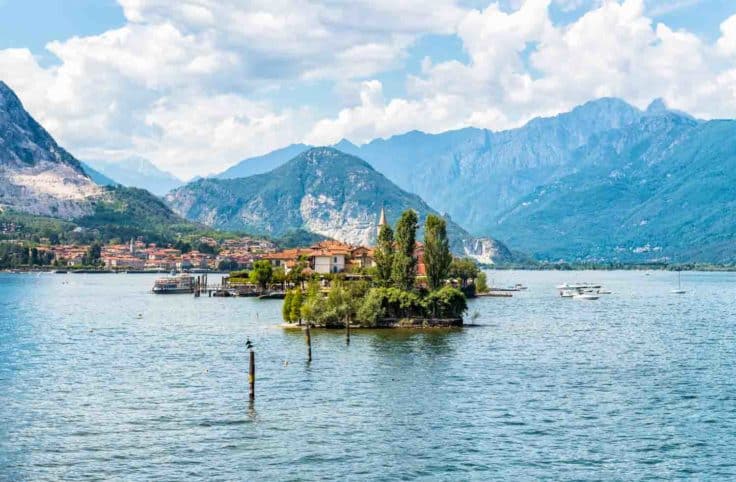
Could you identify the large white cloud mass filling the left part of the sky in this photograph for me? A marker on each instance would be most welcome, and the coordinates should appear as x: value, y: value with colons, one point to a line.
x: 182, y: 82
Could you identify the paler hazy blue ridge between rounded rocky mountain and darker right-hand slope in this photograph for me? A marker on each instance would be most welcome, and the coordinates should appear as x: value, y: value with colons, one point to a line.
x: 475, y: 174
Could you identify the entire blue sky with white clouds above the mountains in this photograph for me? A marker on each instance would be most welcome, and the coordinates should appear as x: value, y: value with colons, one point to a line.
x: 196, y: 85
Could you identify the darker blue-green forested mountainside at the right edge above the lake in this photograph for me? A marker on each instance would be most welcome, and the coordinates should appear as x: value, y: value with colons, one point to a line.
x: 669, y: 194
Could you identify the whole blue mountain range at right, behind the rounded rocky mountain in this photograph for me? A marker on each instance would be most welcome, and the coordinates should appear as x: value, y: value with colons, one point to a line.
x: 603, y: 182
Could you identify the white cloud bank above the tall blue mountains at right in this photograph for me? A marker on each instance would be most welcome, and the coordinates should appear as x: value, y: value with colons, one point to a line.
x: 522, y: 66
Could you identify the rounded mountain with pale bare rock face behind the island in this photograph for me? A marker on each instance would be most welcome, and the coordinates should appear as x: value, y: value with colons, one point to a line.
x: 321, y: 190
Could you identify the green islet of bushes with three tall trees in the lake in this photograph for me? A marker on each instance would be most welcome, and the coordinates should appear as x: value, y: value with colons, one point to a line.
x: 392, y: 293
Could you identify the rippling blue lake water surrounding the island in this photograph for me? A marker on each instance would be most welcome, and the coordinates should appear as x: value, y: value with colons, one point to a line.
x: 101, y: 380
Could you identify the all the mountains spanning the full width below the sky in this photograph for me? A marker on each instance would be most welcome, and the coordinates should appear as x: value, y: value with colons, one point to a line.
x: 603, y: 182
